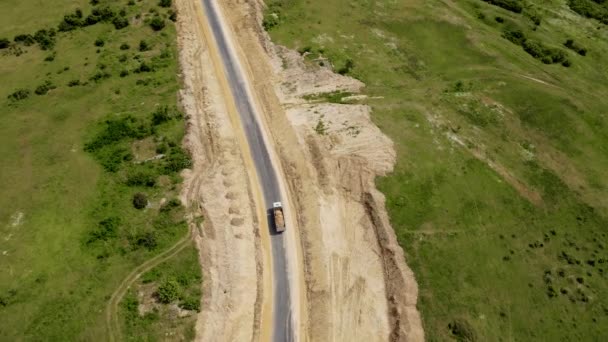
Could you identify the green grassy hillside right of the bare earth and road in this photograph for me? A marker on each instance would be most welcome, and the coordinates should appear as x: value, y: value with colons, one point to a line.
x: 498, y: 113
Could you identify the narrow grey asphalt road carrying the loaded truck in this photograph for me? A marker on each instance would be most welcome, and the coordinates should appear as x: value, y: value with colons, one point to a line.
x: 282, y: 325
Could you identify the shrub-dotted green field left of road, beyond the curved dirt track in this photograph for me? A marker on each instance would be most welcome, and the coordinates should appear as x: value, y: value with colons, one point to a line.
x: 69, y: 233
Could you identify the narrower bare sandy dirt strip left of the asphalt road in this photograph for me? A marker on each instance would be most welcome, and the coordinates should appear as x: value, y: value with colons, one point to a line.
x: 218, y: 188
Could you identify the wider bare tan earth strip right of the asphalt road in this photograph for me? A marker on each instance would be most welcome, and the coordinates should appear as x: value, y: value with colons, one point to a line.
x: 358, y: 285
